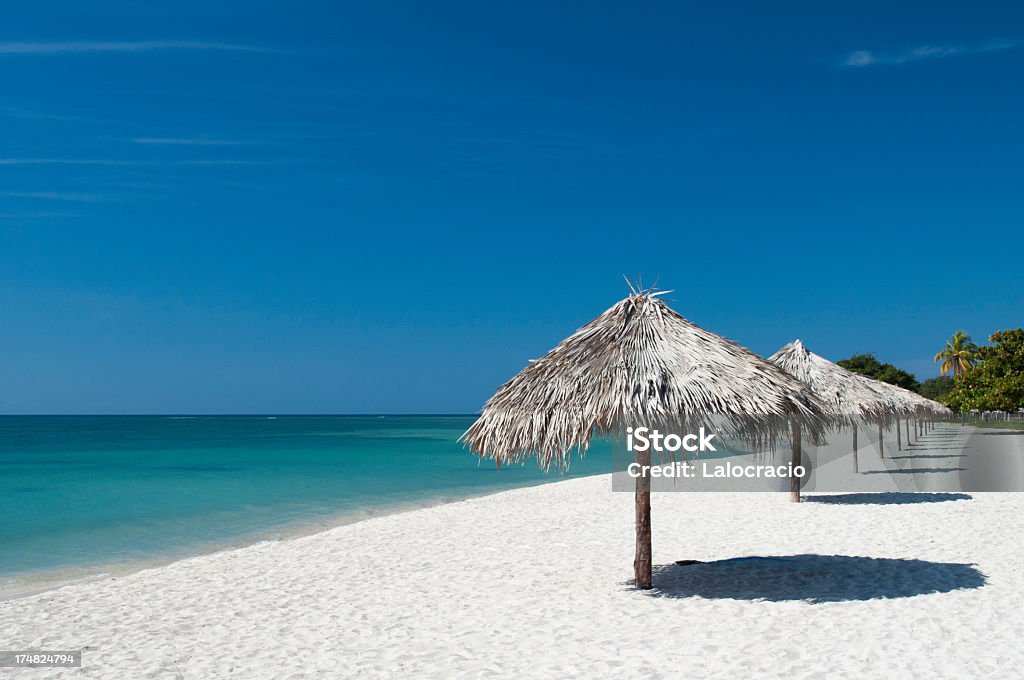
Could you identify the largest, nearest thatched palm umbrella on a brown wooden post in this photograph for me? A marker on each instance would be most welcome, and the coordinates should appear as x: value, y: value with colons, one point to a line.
x: 639, y: 364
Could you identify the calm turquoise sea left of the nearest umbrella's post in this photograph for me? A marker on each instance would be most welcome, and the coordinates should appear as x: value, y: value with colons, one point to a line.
x: 81, y: 496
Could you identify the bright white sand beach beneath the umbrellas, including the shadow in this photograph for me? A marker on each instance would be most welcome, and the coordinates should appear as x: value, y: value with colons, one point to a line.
x: 534, y: 583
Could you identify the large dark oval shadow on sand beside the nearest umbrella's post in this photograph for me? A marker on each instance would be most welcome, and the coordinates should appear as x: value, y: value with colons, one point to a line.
x: 813, y: 579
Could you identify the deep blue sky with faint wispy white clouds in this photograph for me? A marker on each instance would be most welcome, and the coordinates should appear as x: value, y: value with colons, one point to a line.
x: 324, y: 207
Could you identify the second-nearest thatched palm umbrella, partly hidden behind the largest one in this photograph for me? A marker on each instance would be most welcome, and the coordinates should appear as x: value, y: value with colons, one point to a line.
x: 851, y: 398
